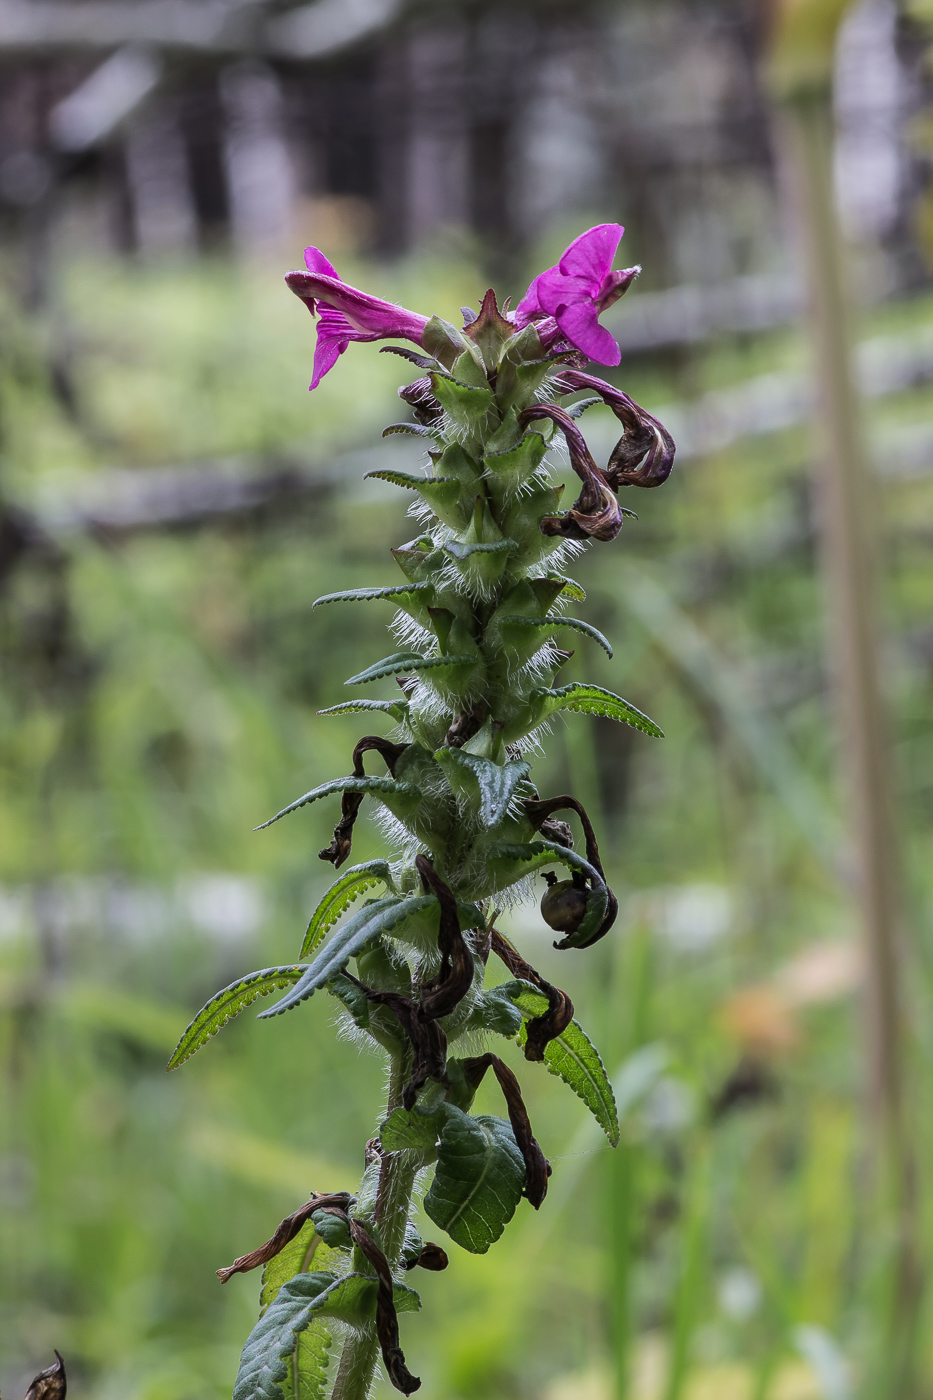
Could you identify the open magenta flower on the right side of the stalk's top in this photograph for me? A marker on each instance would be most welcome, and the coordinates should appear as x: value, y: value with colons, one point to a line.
x: 567, y: 300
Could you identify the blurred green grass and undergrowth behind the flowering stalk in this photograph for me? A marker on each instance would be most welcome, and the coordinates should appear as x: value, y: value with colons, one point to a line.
x: 159, y: 701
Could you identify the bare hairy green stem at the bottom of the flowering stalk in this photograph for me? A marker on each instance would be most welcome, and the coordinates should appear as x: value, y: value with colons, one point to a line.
x: 393, y: 1205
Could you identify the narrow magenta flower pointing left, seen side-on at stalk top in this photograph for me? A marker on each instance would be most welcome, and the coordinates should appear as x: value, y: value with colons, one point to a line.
x: 347, y: 314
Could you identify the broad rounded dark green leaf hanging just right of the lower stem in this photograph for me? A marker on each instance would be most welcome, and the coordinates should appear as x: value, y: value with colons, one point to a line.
x: 478, y: 1181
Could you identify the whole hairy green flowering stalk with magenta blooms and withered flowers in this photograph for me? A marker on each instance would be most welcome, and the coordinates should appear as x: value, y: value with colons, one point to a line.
x: 481, y: 607
